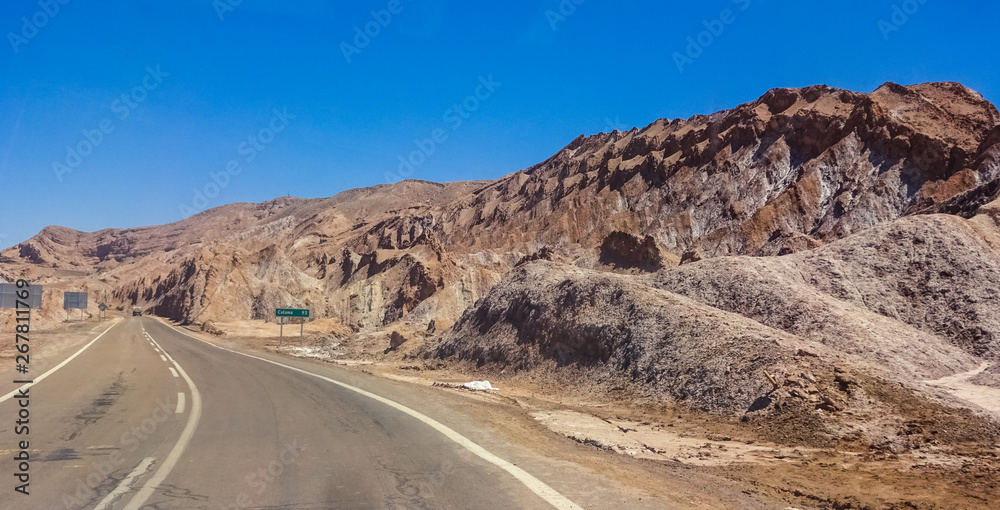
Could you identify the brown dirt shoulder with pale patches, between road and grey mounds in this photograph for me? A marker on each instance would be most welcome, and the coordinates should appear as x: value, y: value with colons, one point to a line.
x: 849, y: 476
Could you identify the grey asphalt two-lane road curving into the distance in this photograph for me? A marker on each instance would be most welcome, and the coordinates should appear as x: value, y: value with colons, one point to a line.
x: 148, y: 417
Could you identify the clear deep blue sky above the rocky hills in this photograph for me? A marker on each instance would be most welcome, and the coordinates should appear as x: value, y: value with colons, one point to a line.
x: 209, y: 84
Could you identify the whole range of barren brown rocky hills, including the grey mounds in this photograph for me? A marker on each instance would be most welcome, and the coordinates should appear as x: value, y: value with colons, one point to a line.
x: 858, y: 227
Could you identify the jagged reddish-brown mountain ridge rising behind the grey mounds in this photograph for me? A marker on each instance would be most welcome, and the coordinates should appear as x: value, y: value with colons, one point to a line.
x: 789, y: 171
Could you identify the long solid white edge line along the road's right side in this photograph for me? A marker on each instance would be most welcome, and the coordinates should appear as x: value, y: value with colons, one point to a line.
x: 537, y: 486
